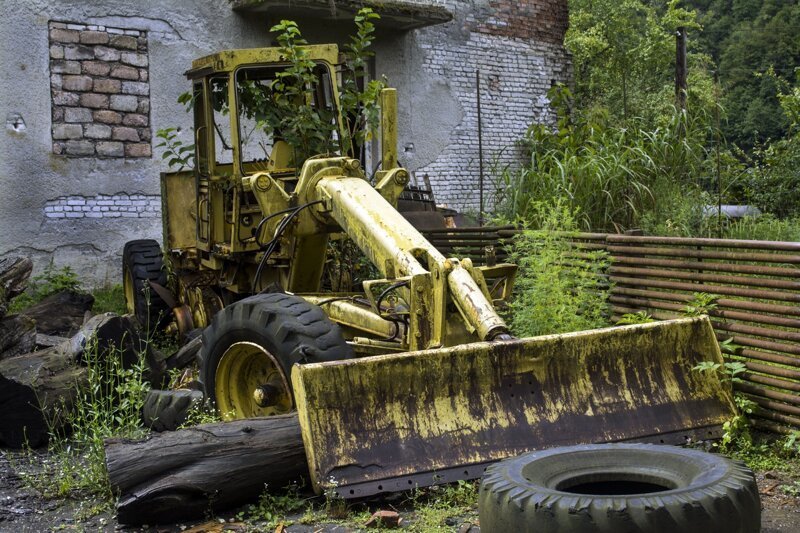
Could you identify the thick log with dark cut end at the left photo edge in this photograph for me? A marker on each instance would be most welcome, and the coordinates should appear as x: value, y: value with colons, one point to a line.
x: 36, y: 391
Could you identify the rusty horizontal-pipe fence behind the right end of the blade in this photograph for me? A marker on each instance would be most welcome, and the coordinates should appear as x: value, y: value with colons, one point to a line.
x: 758, y: 304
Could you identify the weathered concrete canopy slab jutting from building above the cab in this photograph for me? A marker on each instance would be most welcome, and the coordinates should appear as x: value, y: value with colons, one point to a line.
x: 395, y: 14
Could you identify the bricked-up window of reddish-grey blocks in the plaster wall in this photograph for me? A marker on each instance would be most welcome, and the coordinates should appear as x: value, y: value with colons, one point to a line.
x: 100, y: 91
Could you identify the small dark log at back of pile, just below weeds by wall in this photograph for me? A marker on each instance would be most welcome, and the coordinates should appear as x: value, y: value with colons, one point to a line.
x: 62, y: 313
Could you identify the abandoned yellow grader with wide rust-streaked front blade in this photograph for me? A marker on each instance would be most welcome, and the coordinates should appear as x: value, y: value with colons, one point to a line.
x: 416, y: 378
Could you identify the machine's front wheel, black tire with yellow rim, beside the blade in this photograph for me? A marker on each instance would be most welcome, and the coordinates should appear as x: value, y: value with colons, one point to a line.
x: 250, y: 347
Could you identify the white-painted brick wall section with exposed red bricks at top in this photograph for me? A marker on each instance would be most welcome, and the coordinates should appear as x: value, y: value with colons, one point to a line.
x: 518, y: 48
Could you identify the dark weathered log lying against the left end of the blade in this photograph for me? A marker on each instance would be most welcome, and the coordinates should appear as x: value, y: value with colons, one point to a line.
x: 181, y: 475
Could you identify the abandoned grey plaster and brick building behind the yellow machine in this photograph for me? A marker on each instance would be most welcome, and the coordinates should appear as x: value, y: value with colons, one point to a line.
x: 86, y: 85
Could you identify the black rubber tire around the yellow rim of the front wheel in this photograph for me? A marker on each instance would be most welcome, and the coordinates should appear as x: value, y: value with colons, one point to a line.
x: 287, y: 326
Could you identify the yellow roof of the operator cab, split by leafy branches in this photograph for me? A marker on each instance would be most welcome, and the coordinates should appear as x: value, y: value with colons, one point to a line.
x: 230, y: 60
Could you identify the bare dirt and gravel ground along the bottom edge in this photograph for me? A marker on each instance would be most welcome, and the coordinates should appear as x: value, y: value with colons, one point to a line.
x: 22, y: 509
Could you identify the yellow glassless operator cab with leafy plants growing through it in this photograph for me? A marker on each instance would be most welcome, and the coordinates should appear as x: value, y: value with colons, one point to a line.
x: 237, y: 111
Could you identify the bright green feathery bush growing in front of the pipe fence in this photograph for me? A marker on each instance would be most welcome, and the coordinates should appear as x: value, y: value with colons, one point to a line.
x: 558, y: 288
